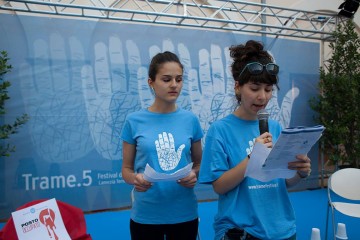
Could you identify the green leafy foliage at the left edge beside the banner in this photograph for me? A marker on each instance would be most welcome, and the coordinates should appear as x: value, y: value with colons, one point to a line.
x: 6, y: 130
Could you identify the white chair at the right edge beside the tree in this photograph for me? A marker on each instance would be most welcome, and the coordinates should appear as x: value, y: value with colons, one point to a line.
x: 346, y: 184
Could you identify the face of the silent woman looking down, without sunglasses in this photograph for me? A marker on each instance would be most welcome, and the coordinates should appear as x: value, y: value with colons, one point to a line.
x: 168, y: 82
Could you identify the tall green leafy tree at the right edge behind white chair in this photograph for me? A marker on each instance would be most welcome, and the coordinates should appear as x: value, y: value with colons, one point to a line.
x: 338, y: 104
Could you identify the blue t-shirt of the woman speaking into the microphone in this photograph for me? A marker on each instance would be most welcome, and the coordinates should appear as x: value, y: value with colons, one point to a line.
x: 263, y: 209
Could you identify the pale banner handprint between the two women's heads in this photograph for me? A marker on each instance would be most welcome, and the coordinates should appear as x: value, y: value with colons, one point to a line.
x: 210, y: 84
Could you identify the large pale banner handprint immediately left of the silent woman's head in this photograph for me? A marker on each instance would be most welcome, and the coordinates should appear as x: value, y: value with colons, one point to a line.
x: 114, y: 87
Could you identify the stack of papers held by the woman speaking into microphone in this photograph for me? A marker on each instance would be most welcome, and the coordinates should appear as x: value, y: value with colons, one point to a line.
x: 269, y: 163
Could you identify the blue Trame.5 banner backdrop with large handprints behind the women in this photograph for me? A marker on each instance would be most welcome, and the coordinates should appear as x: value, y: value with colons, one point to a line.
x: 78, y: 79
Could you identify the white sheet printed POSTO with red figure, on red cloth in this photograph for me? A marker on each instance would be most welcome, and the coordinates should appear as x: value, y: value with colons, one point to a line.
x: 40, y: 221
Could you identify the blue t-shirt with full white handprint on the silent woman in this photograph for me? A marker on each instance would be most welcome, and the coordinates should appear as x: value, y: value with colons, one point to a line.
x: 153, y: 134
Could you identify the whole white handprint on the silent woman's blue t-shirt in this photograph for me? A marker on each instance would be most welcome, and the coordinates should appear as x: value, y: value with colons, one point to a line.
x: 165, y: 148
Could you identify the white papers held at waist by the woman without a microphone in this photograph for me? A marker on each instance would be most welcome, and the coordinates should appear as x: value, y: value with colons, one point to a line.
x: 152, y: 176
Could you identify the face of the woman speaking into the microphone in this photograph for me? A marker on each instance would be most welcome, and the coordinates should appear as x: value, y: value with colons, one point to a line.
x: 254, y: 96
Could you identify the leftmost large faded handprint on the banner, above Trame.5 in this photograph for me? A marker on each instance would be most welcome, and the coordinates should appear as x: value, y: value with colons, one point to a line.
x: 51, y: 90
